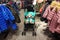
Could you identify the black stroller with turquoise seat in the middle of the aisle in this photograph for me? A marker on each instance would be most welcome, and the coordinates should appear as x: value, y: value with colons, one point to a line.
x: 29, y: 20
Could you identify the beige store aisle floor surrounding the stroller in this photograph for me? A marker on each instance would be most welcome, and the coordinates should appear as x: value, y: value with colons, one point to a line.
x: 40, y: 32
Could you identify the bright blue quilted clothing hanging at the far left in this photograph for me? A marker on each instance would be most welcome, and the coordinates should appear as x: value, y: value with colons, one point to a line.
x: 6, y: 19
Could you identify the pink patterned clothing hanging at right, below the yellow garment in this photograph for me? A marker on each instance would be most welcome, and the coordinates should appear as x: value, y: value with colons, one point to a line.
x: 53, y: 19
